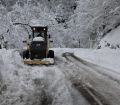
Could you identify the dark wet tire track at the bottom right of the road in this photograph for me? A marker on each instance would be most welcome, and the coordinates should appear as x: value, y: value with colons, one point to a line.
x: 93, y: 97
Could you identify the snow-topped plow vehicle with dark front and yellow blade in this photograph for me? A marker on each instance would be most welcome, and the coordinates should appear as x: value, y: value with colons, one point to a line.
x: 36, y: 49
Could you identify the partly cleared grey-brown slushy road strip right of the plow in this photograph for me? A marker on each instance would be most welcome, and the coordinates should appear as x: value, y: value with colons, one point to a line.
x: 102, y: 82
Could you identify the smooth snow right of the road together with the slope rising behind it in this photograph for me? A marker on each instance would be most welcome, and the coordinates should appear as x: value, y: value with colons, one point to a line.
x: 109, y: 53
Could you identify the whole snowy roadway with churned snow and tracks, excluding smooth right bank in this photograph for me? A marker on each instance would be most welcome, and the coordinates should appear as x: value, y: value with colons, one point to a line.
x: 71, y: 81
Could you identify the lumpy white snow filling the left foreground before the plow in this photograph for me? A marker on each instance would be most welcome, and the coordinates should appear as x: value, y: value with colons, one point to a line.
x: 28, y: 85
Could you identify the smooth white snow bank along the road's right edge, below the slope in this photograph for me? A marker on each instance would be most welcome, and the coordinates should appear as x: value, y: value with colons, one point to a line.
x: 108, y: 58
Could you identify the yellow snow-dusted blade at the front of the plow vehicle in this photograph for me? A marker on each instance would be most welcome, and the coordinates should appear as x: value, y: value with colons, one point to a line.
x: 38, y: 62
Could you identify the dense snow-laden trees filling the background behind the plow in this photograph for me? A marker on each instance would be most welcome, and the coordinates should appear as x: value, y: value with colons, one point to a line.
x: 72, y: 23
